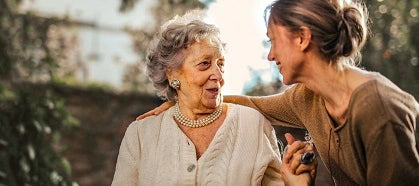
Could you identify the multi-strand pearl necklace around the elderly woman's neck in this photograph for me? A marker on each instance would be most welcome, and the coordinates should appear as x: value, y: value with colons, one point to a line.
x: 182, y: 119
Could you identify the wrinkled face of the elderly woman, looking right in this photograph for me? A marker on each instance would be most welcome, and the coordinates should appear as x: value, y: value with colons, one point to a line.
x: 201, y: 76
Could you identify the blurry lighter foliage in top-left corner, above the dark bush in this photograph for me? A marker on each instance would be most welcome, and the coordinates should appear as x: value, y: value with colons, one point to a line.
x: 33, y: 47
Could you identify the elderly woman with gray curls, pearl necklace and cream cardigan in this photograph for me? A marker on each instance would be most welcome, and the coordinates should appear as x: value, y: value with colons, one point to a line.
x: 200, y: 140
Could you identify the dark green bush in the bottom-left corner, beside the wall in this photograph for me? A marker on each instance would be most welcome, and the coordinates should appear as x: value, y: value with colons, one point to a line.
x: 30, y: 122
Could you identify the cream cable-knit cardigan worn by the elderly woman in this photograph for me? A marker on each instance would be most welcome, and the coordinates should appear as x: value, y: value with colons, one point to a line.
x: 154, y: 151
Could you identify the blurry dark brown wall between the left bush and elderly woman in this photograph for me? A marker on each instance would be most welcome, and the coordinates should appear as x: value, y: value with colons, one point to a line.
x: 92, y: 148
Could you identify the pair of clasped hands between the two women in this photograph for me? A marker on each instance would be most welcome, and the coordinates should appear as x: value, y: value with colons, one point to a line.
x: 293, y: 171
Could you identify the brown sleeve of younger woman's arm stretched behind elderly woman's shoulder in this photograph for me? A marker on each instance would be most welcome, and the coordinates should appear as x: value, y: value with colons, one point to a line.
x: 280, y: 109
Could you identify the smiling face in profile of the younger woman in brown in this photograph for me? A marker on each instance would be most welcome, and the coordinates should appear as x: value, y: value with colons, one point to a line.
x: 285, y: 52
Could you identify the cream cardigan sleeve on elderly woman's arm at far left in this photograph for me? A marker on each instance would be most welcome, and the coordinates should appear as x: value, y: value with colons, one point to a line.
x: 126, y: 171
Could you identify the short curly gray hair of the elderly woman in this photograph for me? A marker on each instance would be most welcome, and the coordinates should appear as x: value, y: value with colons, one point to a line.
x: 167, y: 48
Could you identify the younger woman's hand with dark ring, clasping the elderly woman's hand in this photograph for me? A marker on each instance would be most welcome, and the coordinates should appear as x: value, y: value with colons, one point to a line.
x: 292, y: 157
